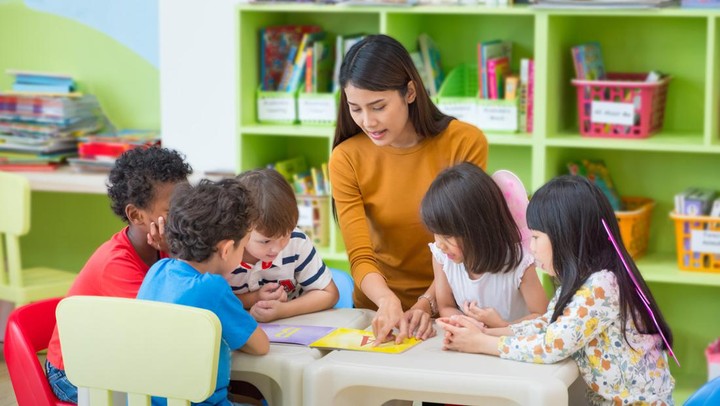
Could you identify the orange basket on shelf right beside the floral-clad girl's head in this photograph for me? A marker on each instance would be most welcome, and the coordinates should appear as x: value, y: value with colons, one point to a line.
x: 634, y: 224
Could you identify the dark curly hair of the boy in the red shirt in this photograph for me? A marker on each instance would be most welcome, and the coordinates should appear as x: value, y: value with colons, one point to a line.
x: 138, y: 171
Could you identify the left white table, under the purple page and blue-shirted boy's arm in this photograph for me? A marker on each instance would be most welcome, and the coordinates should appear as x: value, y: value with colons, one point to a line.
x: 279, y: 374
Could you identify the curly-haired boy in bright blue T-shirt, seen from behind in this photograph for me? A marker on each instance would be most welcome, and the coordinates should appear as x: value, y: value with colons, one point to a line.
x: 207, y: 230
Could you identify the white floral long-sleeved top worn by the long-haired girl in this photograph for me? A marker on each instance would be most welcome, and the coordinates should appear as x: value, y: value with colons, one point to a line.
x: 589, y: 332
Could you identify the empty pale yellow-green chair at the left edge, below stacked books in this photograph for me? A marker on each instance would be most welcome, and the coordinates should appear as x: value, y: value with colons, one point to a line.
x: 17, y: 285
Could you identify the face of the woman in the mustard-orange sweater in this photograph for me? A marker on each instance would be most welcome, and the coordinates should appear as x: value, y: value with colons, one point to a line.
x: 383, y: 116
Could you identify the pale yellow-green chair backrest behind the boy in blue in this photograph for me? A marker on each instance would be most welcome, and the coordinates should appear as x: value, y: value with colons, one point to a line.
x: 138, y: 347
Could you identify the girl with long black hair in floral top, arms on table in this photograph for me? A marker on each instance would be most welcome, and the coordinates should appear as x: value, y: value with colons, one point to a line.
x: 597, y: 316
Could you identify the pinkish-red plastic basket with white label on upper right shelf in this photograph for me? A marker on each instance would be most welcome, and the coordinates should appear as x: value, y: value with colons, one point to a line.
x: 623, y: 106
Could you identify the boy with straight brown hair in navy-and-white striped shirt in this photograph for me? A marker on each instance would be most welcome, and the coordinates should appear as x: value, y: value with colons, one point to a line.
x: 280, y: 263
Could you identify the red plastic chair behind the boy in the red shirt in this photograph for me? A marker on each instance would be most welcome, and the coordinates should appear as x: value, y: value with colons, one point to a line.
x: 28, y: 331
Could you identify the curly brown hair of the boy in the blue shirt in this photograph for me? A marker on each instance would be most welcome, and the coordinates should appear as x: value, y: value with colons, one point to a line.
x: 201, y: 216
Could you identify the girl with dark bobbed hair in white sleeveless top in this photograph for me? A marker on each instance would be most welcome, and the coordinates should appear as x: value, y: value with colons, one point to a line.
x: 481, y: 268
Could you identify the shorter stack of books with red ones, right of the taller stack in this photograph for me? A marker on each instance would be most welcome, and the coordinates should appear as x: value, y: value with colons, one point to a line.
x: 98, y: 152
